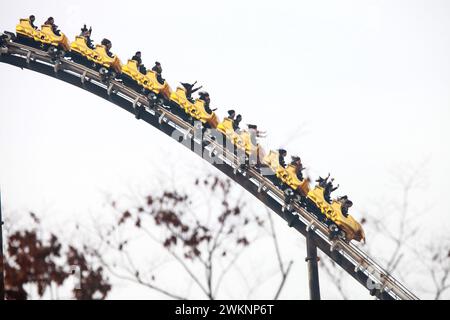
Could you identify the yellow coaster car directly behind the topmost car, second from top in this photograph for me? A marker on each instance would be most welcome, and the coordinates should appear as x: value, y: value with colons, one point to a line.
x: 98, y: 56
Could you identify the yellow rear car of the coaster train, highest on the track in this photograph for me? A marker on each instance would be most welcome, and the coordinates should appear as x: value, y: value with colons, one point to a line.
x: 45, y: 36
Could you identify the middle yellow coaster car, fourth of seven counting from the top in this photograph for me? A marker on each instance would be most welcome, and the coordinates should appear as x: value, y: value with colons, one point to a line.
x: 196, y: 110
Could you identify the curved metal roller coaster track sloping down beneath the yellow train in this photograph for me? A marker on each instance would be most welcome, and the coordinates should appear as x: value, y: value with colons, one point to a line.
x: 347, y: 255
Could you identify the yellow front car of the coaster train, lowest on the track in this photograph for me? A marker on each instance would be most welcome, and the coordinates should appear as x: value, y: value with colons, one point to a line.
x: 333, y: 212
